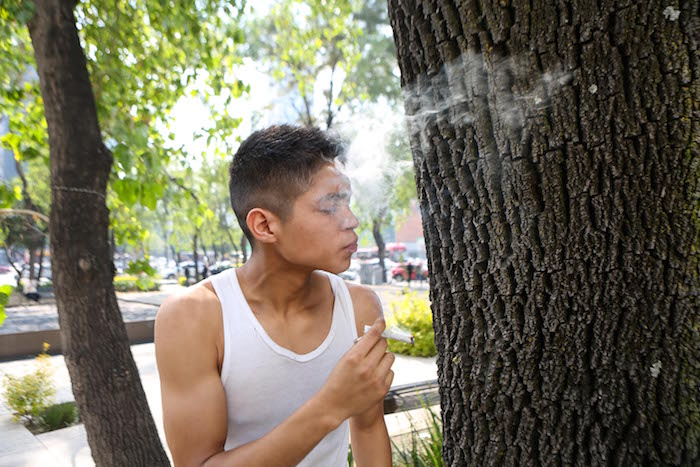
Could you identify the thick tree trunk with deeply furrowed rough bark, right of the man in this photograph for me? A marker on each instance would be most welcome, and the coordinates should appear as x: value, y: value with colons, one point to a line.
x: 556, y: 147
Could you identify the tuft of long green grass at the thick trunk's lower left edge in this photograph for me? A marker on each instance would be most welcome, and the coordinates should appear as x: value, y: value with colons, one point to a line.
x: 424, y: 448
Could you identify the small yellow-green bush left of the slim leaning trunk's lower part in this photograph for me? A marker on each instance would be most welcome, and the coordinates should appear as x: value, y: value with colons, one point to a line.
x: 27, y: 396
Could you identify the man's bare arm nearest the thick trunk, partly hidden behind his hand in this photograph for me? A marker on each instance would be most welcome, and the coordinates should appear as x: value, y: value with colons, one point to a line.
x: 368, y: 433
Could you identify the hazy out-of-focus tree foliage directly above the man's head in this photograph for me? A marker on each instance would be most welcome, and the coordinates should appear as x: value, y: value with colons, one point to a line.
x: 327, y: 55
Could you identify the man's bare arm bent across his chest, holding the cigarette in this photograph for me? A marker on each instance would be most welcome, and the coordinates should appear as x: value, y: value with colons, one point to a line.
x: 194, y: 403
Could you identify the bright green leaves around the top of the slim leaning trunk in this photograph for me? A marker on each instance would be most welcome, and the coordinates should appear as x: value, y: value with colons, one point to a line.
x: 142, y: 58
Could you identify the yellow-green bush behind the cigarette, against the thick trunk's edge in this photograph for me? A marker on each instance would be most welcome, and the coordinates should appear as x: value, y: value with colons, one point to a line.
x: 413, y: 315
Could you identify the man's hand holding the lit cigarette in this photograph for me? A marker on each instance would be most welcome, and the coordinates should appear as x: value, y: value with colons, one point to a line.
x: 362, y: 377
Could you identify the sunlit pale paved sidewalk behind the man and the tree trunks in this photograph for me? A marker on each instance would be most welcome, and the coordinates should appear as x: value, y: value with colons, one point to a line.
x: 69, y: 447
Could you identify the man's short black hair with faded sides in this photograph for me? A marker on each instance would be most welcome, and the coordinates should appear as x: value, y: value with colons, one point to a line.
x: 272, y: 167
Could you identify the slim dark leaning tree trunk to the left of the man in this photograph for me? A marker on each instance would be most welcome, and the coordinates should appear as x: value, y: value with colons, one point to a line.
x: 105, y: 379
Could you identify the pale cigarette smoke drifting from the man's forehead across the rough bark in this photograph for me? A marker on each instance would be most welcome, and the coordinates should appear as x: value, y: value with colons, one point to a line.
x: 472, y: 90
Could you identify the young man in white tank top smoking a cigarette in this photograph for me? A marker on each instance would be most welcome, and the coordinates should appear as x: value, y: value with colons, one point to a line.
x: 257, y: 364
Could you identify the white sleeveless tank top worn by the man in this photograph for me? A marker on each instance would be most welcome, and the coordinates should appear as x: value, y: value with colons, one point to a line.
x: 265, y: 383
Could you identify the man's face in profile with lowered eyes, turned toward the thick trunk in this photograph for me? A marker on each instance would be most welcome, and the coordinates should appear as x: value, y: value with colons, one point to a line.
x: 320, y: 231
